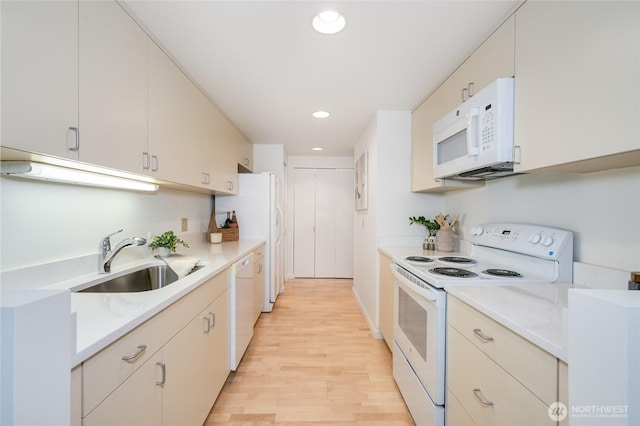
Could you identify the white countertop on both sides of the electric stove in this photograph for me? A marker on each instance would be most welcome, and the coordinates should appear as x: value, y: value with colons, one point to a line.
x: 537, y: 312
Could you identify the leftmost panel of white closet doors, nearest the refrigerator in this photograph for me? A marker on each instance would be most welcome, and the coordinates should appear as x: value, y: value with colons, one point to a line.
x: 304, y: 212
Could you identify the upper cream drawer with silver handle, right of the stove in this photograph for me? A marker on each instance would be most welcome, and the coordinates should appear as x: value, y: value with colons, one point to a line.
x: 514, y: 353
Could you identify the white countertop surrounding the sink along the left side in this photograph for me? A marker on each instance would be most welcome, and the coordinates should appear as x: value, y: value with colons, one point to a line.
x: 102, y: 318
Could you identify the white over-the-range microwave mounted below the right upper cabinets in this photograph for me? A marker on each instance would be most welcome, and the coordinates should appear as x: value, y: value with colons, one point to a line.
x: 475, y: 140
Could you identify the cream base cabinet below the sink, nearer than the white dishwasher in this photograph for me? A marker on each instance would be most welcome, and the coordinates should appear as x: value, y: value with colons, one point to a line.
x: 169, y: 370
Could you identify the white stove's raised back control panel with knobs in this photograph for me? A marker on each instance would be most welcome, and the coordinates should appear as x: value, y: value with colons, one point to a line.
x: 534, y: 240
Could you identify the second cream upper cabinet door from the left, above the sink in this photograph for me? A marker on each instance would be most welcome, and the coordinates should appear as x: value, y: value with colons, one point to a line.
x: 113, y: 87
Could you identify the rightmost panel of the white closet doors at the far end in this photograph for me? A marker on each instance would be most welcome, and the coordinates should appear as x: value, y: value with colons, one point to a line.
x: 344, y: 223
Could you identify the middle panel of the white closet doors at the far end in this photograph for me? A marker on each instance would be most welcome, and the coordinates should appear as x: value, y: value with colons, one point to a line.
x: 325, y: 223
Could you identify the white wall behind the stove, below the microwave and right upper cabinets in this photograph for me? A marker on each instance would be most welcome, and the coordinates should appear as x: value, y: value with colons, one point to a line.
x: 602, y: 209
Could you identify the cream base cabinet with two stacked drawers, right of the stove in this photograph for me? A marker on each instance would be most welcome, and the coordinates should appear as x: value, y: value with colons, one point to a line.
x: 494, y: 376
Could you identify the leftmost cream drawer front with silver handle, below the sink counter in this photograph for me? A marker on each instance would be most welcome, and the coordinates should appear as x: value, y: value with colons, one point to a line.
x: 105, y: 371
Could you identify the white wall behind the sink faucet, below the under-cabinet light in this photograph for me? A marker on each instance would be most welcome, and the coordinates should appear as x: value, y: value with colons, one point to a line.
x: 43, y: 222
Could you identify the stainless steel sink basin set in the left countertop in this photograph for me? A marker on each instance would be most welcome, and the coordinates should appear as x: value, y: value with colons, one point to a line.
x: 149, y: 278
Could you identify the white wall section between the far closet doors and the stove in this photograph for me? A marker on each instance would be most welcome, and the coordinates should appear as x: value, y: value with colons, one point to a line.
x: 387, y: 139
